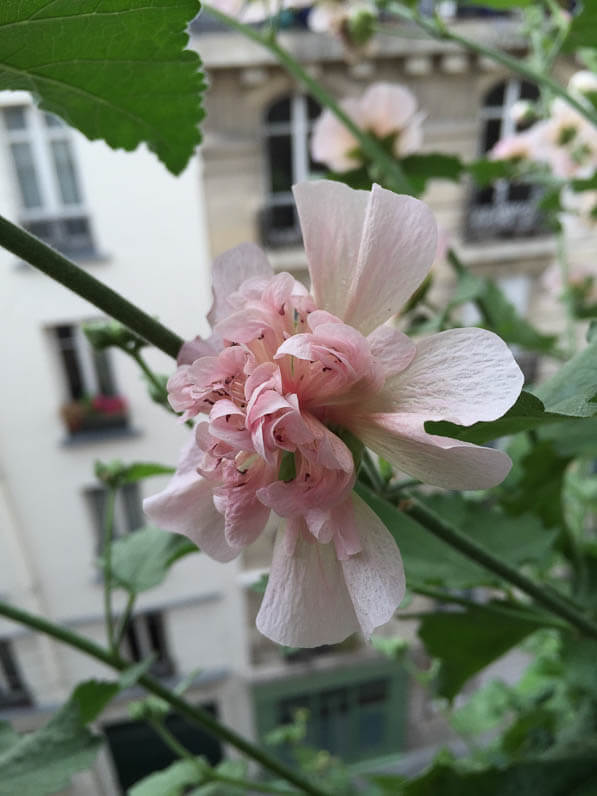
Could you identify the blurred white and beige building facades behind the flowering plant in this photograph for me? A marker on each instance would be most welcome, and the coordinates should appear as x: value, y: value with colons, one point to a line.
x: 151, y: 237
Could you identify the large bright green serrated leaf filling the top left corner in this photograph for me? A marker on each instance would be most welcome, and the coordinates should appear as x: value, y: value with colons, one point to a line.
x: 114, y: 69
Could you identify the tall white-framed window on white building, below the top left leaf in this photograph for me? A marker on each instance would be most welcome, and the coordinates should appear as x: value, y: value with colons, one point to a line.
x: 52, y: 206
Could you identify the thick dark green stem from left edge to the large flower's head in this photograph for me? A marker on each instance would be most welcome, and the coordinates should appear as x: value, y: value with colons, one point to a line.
x: 33, y: 251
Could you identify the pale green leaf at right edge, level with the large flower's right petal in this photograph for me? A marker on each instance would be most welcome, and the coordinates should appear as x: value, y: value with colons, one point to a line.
x: 573, y: 389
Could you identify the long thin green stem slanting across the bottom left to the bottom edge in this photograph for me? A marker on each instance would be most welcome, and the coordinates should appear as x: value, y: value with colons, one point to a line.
x: 193, y: 713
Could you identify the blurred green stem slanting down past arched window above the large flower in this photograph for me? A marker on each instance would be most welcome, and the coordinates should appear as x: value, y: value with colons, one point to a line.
x: 394, y: 176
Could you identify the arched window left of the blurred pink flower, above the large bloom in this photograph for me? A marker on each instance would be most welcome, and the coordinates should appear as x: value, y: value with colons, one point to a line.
x: 287, y: 131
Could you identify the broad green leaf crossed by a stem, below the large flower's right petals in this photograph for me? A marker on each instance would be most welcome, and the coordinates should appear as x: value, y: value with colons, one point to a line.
x: 428, y: 560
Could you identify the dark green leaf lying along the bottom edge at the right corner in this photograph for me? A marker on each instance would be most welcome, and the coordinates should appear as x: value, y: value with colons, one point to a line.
x: 554, y: 777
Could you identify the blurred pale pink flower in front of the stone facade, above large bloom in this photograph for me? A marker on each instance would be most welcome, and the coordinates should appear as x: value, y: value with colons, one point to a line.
x: 383, y: 110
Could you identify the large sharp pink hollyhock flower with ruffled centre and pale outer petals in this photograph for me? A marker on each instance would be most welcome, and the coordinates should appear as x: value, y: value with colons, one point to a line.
x: 289, y: 376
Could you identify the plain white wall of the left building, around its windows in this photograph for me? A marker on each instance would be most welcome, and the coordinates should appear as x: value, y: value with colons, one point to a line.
x: 149, y: 228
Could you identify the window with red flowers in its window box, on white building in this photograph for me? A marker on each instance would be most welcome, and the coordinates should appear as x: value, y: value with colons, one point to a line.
x: 92, y: 403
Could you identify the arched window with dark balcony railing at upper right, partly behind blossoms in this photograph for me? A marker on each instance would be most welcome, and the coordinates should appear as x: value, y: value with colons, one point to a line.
x: 506, y: 209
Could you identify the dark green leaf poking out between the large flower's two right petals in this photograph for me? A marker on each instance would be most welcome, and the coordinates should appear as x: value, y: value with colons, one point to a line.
x: 527, y: 413
